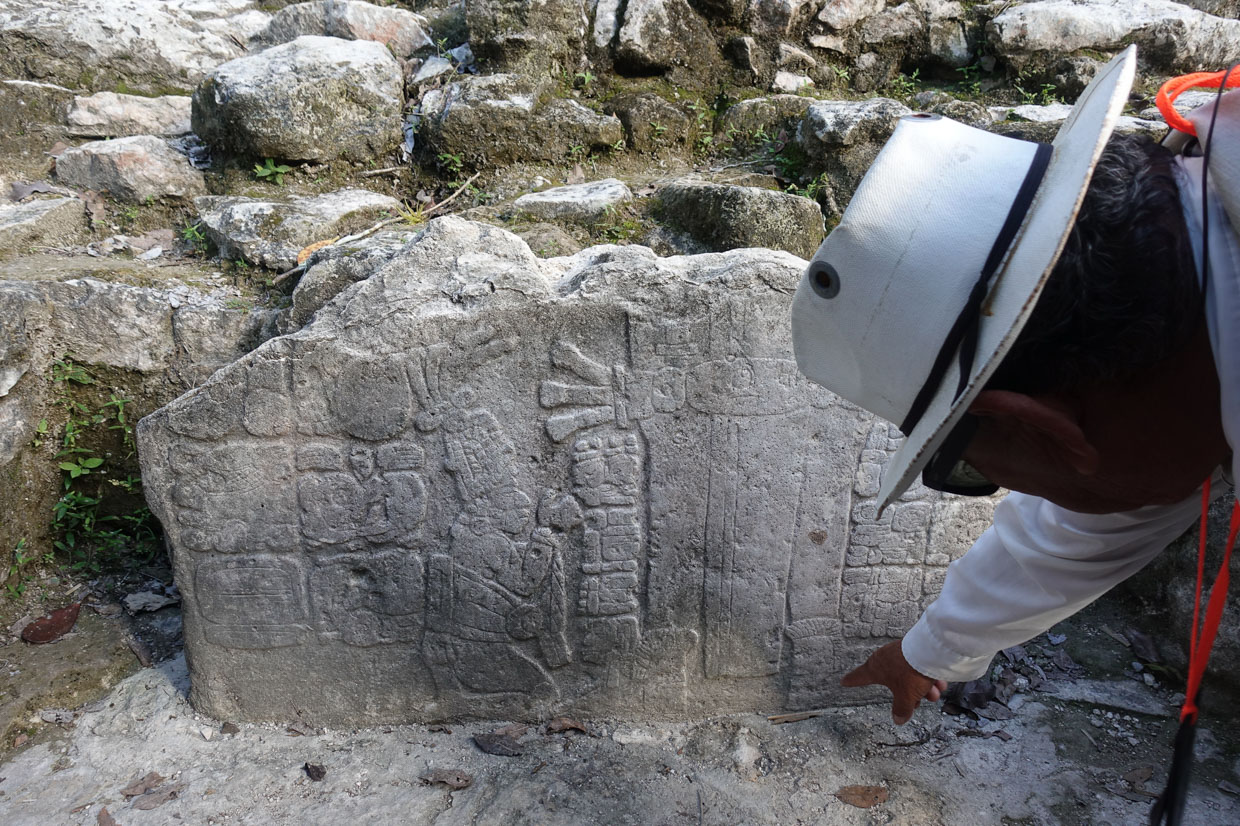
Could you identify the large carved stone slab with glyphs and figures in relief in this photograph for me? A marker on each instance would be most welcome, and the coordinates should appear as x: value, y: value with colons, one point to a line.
x: 484, y: 484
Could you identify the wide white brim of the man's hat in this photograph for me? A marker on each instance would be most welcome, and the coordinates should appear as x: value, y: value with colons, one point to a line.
x: 1029, y: 265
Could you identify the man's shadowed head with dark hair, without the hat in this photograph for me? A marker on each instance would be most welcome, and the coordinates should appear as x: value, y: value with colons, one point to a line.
x: 1109, y: 399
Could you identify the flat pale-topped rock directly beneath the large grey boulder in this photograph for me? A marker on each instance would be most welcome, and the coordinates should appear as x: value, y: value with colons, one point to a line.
x: 271, y: 234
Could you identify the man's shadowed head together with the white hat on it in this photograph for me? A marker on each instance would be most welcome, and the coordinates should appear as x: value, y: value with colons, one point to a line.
x: 914, y: 307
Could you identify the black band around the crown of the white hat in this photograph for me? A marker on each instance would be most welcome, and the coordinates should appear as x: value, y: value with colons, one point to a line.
x: 965, y: 332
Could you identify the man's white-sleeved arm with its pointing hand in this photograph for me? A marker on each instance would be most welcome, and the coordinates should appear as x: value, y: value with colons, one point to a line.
x: 1036, y: 566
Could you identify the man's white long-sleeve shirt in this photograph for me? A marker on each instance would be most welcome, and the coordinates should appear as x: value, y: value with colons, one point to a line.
x: 1040, y: 564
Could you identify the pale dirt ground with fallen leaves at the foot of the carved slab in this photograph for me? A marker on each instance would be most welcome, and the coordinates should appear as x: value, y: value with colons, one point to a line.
x: 1092, y: 750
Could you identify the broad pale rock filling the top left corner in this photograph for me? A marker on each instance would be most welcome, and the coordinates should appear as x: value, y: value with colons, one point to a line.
x: 148, y: 45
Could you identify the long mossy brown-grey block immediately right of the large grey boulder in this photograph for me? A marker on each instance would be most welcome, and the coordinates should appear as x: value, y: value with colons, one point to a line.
x: 508, y: 118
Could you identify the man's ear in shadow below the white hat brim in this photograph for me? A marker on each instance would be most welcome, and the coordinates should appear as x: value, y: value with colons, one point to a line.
x: 1050, y: 421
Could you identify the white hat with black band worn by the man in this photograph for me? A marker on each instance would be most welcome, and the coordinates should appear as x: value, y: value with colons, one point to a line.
x: 952, y: 235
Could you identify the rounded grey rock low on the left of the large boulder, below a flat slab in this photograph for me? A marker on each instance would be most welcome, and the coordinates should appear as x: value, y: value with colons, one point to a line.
x: 131, y: 169
